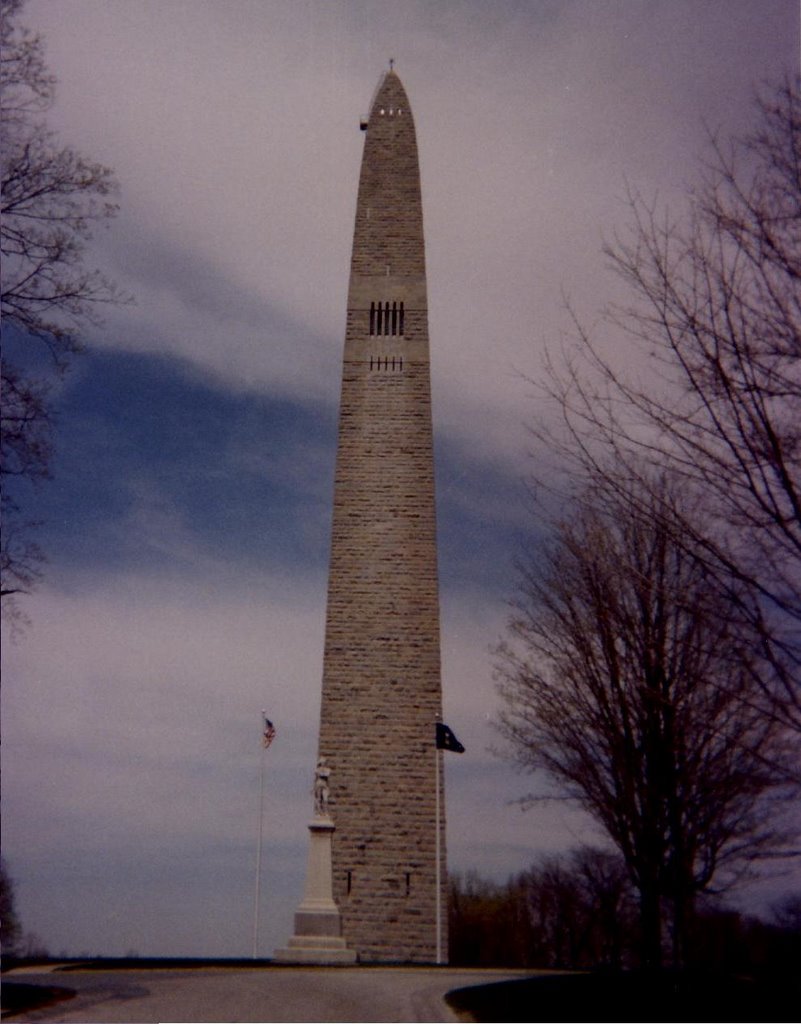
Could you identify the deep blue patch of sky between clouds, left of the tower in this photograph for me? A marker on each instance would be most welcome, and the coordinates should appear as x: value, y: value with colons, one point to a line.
x: 156, y: 467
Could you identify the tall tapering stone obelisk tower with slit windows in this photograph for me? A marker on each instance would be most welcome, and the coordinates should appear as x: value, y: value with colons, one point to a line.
x: 382, y: 686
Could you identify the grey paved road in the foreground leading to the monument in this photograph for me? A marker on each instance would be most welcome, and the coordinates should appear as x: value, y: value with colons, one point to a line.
x: 275, y: 994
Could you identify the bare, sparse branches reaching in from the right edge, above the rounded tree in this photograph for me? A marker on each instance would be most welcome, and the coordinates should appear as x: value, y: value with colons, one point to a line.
x: 716, y: 311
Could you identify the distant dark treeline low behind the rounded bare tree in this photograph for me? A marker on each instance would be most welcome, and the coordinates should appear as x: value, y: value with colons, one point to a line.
x: 579, y: 912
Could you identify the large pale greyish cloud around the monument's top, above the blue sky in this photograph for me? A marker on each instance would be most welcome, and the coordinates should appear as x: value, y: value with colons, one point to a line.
x: 233, y: 129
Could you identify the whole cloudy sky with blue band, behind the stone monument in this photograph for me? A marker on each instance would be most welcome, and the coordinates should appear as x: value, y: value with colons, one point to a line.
x: 188, y: 523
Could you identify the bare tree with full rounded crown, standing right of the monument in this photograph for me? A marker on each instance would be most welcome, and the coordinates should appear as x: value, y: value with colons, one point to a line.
x: 628, y: 678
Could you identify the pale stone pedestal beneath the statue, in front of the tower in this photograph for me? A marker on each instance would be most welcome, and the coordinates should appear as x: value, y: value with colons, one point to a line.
x: 318, y: 937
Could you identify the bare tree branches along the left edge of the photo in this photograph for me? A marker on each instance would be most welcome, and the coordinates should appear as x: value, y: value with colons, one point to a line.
x: 52, y: 197
